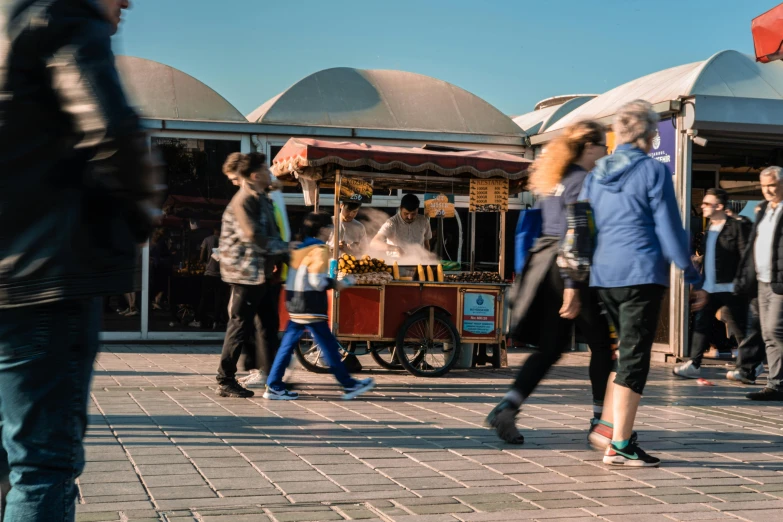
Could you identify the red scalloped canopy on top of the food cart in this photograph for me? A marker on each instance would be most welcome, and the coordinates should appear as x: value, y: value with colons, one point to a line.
x: 299, y: 154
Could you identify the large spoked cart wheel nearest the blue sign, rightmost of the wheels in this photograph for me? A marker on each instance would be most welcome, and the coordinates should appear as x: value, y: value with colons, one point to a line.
x: 428, y: 350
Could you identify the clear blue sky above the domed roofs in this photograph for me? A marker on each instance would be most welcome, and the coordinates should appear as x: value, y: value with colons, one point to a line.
x: 512, y: 53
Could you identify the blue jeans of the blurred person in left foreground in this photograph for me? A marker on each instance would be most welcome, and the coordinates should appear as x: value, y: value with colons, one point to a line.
x: 46, y: 358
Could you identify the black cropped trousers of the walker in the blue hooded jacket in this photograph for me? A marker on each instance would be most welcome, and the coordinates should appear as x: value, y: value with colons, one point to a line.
x: 634, y: 312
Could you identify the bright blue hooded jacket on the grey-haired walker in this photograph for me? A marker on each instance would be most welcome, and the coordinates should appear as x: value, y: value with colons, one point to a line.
x: 639, y: 228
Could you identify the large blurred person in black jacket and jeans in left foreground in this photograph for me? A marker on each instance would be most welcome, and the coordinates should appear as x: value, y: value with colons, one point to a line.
x: 77, y: 197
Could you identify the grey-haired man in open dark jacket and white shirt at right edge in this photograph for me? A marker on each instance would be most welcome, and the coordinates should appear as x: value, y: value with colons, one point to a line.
x: 761, y: 275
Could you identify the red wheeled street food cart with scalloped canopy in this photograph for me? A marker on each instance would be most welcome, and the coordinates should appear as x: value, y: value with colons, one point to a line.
x: 416, y: 317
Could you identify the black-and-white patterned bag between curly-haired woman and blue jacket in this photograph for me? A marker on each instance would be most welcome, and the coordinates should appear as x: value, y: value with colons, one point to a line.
x: 576, y: 250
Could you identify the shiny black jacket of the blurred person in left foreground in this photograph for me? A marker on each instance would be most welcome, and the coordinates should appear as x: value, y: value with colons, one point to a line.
x: 76, y: 181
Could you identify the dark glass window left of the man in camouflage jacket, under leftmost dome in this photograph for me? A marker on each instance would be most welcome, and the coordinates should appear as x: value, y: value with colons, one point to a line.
x: 186, y: 292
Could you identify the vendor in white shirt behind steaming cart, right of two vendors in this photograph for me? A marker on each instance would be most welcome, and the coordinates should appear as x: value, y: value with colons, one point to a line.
x: 407, y: 227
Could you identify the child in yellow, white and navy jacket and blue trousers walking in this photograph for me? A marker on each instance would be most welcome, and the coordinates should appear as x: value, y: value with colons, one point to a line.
x: 307, y: 304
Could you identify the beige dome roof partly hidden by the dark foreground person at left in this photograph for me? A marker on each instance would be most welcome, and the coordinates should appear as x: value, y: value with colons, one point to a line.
x: 162, y: 92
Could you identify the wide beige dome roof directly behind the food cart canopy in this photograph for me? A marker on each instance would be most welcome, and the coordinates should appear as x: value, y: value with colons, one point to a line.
x: 378, y: 99
